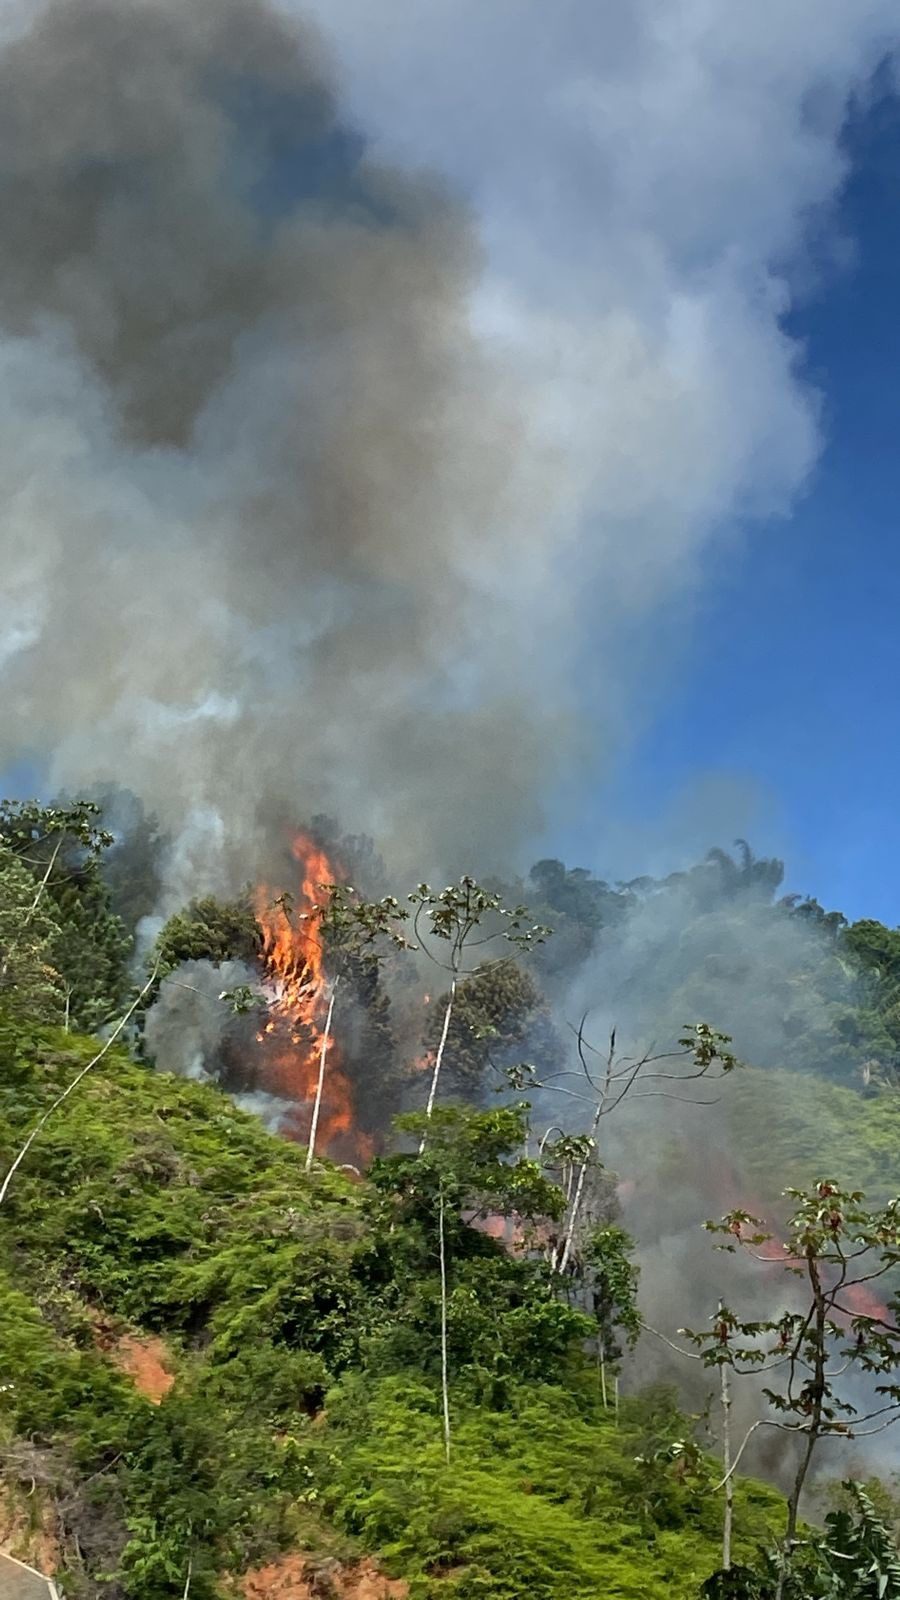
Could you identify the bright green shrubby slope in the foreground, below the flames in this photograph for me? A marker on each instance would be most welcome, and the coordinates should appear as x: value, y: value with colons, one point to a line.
x: 302, y: 1330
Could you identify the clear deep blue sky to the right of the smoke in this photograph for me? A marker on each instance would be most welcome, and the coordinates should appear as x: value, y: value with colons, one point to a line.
x: 790, y: 695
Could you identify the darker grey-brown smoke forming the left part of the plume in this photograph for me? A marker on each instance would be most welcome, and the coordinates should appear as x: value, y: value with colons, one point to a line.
x: 260, y: 473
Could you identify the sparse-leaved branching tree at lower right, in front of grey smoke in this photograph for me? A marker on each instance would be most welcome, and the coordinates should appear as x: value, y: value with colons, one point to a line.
x: 837, y: 1249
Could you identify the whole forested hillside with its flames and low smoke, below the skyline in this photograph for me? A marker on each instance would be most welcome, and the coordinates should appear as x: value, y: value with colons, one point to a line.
x: 340, y: 1228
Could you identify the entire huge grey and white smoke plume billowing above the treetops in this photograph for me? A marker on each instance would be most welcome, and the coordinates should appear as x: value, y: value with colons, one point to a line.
x: 327, y: 494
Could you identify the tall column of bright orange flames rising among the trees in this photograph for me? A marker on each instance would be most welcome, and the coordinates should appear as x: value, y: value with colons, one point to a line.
x: 300, y: 990
